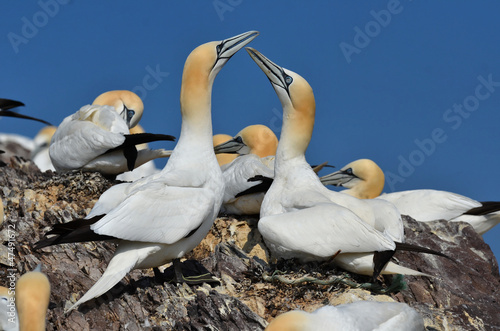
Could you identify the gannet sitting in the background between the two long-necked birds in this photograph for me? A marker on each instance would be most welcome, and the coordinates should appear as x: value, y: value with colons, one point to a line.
x: 256, y: 146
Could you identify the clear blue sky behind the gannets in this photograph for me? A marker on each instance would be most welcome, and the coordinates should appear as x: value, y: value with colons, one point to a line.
x: 413, y: 85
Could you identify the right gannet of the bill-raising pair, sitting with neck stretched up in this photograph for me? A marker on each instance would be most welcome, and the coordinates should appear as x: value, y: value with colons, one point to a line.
x: 301, y: 218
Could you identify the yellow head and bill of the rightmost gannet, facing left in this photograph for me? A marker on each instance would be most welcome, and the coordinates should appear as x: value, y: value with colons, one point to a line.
x: 363, y: 178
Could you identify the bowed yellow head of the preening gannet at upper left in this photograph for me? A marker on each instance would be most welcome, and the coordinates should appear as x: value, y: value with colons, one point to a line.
x: 126, y: 103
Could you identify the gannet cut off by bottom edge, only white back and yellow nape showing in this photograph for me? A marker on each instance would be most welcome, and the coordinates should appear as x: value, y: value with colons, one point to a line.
x: 356, y: 316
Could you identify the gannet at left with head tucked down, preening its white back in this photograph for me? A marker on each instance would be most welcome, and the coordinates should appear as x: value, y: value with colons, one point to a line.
x: 96, y: 137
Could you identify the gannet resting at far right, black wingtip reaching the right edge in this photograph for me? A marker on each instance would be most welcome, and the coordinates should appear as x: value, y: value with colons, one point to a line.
x: 365, y: 180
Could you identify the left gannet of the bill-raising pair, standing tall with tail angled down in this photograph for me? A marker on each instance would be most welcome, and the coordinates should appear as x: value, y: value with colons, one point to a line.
x: 161, y: 217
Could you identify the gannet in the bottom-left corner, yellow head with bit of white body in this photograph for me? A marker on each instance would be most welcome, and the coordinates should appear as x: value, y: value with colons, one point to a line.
x: 24, y: 306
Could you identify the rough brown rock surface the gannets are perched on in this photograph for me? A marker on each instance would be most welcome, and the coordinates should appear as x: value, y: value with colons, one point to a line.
x: 463, y: 295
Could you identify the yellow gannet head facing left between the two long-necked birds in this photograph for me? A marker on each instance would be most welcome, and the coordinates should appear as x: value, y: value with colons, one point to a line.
x: 254, y: 139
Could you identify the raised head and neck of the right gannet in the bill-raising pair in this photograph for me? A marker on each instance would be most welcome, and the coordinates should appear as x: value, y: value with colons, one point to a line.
x: 296, y: 97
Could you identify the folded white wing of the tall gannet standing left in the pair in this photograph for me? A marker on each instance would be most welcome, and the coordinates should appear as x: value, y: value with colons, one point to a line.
x: 157, y: 213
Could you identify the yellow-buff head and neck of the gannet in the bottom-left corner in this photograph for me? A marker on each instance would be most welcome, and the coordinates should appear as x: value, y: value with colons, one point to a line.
x: 32, y: 300
